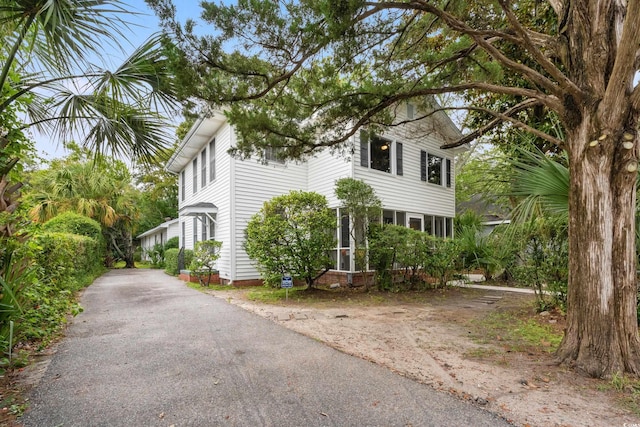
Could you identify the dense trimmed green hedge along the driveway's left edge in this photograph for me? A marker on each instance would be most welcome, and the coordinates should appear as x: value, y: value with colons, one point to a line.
x: 55, y: 264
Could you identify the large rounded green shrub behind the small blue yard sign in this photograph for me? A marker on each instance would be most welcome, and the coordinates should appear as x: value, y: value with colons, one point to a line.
x: 294, y: 234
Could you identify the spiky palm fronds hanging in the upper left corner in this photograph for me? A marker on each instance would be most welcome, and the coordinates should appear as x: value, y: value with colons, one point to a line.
x: 49, y: 46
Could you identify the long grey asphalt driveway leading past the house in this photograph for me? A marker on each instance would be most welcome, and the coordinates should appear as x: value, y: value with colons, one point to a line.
x: 148, y: 351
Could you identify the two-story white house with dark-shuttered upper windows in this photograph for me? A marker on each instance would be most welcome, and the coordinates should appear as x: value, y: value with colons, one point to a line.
x: 218, y: 194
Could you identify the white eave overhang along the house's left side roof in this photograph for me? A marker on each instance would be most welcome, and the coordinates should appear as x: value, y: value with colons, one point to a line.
x: 199, y: 135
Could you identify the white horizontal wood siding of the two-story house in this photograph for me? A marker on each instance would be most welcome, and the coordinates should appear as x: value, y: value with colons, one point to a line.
x: 241, y: 187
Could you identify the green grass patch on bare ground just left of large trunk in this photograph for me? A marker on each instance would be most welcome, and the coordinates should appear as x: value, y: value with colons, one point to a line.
x: 514, y: 333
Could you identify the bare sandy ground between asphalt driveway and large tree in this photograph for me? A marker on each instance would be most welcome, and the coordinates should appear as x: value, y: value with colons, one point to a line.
x: 432, y: 343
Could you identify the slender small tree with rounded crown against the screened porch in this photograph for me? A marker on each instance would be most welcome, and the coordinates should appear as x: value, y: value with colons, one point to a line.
x: 358, y: 199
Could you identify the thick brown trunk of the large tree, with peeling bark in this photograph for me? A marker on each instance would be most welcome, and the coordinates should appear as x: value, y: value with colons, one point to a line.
x: 602, y: 332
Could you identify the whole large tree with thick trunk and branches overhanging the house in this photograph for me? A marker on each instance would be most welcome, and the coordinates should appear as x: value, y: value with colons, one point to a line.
x: 307, y: 74
